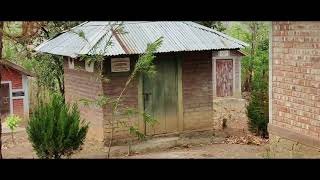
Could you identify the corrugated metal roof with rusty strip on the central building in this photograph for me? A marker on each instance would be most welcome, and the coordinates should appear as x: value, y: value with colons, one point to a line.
x: 177, y: 36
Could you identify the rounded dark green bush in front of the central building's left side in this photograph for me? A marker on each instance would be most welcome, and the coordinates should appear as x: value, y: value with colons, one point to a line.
x: 55, y: 130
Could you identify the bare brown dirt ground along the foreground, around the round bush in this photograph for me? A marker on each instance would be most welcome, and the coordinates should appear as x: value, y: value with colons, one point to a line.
x: 21, y: 148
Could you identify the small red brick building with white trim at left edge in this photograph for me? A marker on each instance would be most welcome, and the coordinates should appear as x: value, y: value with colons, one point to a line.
x: 14, y: 90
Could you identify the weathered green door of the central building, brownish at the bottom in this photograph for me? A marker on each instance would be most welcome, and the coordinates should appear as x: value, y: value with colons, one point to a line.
x: 161, y: 96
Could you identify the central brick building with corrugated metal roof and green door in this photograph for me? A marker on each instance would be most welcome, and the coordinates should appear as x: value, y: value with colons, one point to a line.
x: 196, y: 66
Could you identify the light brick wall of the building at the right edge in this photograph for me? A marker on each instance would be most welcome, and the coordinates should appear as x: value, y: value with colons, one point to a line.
x: 296, y: 78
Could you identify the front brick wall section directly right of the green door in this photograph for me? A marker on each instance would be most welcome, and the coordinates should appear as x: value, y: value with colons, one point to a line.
x: 197, y: 90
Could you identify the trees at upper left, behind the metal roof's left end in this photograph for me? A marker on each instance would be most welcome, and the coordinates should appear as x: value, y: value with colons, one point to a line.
x: 21, y: 37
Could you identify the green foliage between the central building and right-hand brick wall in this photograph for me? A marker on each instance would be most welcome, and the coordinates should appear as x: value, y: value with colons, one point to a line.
x: 255, y: 71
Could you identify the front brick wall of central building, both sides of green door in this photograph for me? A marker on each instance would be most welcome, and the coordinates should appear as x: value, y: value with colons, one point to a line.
x: 197, y: 94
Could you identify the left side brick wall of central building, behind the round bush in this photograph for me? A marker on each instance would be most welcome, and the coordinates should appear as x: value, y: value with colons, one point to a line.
x: 81, y: 84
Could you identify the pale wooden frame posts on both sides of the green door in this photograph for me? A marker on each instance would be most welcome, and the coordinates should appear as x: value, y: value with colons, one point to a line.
x: 141, y: 123
